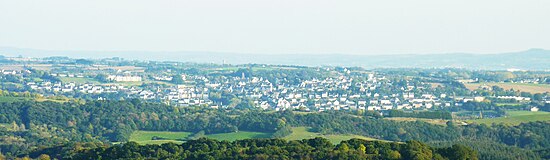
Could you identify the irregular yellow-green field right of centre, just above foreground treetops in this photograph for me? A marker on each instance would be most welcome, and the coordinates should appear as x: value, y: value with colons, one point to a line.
x: 299, y: 133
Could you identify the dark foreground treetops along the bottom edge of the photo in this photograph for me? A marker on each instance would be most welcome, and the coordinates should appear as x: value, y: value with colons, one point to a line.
x: 317, y: 148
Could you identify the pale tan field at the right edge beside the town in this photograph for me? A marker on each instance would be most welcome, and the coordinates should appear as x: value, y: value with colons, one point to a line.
x: 525, y: 87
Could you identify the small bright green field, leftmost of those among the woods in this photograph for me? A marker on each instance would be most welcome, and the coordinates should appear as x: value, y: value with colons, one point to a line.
x: 145, y: 137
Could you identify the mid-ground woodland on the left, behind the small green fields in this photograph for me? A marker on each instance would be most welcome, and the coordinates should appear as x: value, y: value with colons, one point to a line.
x: 115, y: 121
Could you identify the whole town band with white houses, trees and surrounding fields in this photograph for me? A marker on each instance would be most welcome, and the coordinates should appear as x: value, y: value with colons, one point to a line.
x: 267, y: 87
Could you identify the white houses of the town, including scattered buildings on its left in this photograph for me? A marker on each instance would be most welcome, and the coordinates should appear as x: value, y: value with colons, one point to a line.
x: 369, y: 91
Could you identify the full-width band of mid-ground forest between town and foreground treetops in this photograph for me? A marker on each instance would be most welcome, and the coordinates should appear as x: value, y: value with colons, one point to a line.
x: 31, y: 127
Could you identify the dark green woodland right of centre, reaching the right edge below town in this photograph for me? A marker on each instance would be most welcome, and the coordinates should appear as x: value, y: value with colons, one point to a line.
x: 532, y: 135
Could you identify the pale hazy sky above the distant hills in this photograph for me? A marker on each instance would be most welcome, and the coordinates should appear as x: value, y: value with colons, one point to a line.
x: 277, y: 26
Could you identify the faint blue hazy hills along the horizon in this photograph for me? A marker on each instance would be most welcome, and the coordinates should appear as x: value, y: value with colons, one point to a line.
x: 533, y: 59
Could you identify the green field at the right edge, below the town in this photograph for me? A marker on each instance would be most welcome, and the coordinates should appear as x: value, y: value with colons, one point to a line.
x: 516, y: 117
